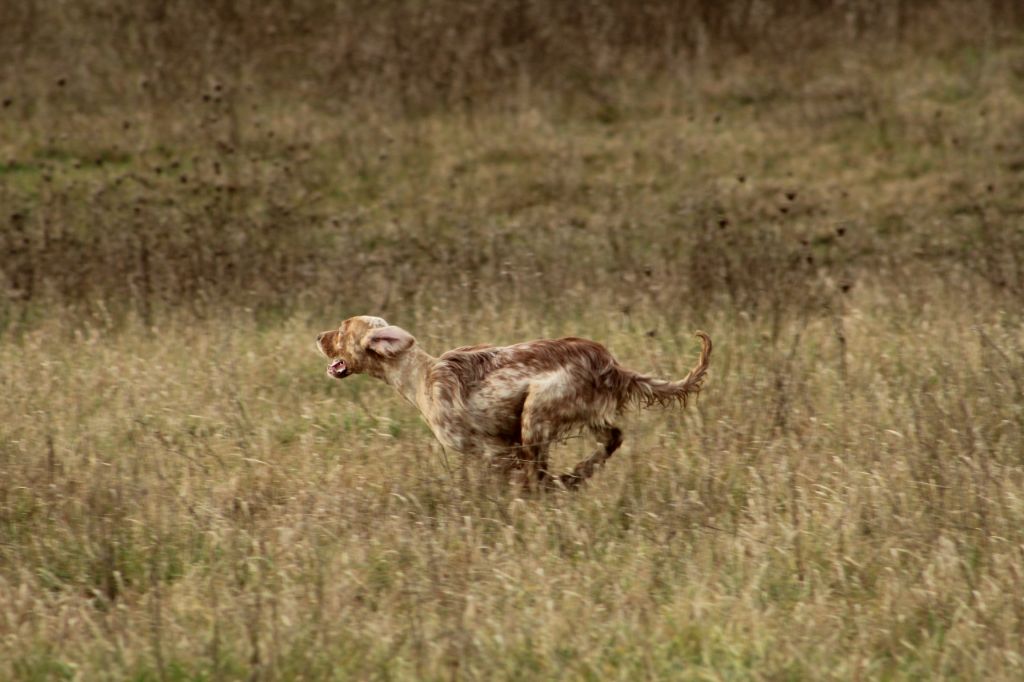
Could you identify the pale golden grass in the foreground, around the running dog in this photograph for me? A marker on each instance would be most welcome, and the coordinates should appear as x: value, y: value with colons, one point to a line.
x: 200, y: 502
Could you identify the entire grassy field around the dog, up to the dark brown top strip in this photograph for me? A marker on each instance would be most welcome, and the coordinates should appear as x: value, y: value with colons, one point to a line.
x: 186, y: 496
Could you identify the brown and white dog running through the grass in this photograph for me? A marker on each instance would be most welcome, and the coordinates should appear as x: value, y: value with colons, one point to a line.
x: 508, y: 404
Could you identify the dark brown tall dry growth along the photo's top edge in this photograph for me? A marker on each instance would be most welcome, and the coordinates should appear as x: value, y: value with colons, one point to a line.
x: 421, y: 56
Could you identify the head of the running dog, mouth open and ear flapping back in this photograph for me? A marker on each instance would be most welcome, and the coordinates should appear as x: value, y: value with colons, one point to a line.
x: 363, y: 346
